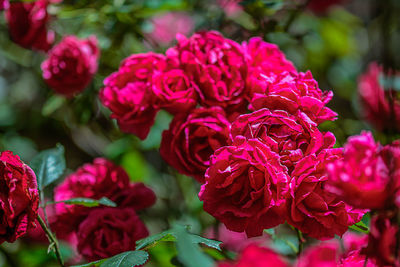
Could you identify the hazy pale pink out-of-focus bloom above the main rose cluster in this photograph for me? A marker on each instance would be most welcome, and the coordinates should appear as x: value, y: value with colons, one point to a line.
x: 166, y: 26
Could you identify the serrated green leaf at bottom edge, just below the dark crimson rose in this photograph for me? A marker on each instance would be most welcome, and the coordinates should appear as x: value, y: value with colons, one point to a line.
x: 127, y: 259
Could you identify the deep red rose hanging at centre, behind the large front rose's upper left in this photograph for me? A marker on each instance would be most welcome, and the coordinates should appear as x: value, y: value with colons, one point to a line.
x: 191, y: 139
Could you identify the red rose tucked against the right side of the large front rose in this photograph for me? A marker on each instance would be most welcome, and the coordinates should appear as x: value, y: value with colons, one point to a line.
x: 313, y: 210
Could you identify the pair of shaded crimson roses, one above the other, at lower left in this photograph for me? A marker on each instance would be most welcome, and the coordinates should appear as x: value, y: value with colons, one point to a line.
x: 101, y: 232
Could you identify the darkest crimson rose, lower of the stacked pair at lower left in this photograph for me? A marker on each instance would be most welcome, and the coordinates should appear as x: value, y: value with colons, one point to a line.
x: 109, y: 231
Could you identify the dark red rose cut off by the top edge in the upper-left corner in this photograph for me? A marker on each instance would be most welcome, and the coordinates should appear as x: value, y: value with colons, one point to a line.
x: 27, y: 25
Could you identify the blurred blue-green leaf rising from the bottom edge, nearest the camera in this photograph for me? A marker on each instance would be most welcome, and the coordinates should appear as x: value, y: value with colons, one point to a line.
x: 189, y: 253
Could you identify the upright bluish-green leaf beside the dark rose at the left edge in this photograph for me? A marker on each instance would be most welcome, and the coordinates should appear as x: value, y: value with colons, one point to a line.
x: 48, y: 165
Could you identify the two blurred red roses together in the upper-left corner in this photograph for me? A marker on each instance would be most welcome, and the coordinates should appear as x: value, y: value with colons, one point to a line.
x: 70, y: 64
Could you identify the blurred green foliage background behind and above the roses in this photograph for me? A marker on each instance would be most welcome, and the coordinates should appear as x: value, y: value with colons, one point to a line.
x: 334, y: 39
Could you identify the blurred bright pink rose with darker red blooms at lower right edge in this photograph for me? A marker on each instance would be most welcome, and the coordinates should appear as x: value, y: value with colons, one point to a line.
x: 368, y: 177
